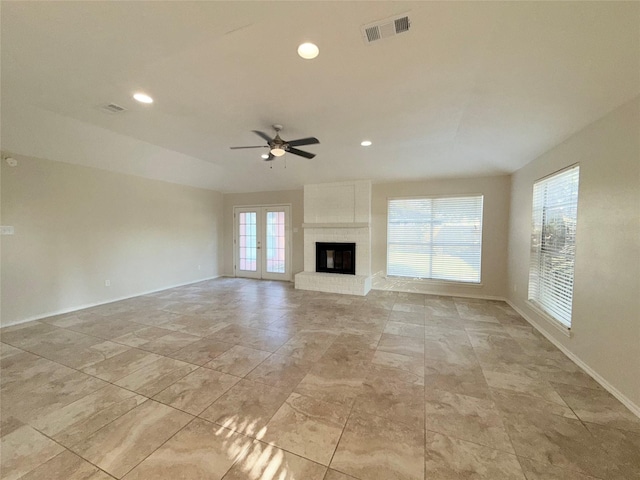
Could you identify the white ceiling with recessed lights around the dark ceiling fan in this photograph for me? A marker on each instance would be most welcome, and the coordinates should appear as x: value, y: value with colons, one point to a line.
x: 475, y: 88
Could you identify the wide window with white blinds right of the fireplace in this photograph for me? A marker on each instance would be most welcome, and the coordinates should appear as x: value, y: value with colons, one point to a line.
x: 437, y: 238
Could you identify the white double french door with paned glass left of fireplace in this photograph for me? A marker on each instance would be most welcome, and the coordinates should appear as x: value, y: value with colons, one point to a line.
x: 262, y: 242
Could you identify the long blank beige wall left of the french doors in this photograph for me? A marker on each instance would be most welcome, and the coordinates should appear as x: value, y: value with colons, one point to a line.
x: 76, y: 227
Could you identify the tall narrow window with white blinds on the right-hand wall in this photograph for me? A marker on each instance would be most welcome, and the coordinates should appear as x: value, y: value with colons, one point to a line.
x: 553, y: 244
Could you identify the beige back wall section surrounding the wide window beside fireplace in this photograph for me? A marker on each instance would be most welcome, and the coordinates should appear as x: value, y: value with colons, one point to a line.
x: 494, y: 233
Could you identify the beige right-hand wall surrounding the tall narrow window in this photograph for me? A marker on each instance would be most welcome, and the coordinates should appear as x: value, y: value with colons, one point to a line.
x: 606, y: 303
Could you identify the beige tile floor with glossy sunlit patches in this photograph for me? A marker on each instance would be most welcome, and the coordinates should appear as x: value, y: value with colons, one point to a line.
x: 240, y: 379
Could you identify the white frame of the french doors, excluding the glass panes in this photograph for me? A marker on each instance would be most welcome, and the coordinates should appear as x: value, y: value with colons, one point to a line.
x: 288, y: 276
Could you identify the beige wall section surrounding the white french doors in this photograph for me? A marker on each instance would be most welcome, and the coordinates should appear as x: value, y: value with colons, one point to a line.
x: 295, y: 198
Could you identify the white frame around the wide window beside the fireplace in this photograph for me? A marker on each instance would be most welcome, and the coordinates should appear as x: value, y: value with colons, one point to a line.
x: 466, y: 283
